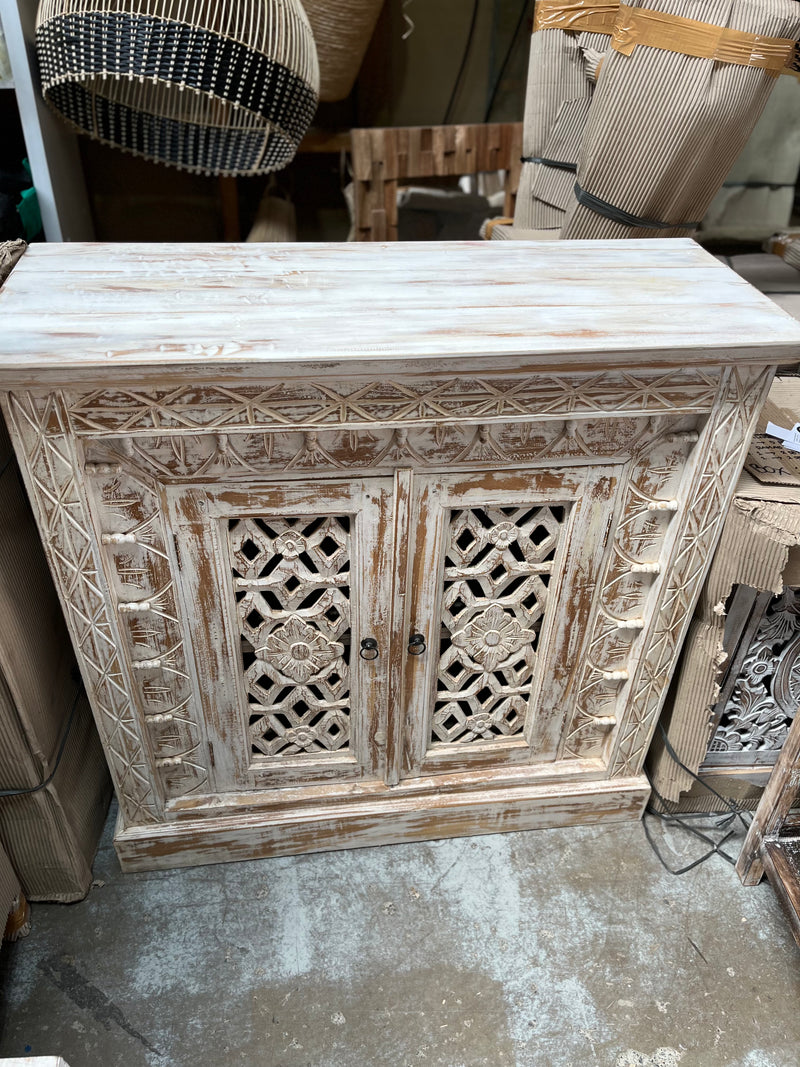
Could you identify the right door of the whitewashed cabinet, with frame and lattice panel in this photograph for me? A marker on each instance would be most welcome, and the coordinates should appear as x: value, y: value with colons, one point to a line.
x: 502, y: 581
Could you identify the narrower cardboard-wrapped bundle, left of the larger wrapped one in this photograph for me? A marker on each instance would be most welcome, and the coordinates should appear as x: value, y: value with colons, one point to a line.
x: 566, y: 52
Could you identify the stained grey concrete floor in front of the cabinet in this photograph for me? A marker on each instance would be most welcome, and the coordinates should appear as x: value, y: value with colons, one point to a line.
x: 552, y: 948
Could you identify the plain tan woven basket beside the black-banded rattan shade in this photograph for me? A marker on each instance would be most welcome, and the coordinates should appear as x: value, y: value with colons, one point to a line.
x: 342, y: 29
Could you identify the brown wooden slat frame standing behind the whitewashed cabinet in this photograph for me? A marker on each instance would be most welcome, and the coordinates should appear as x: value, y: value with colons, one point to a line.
x: 383, y: 157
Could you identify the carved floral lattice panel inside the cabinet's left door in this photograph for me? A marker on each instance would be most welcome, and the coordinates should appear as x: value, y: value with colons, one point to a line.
x: 293, y: 579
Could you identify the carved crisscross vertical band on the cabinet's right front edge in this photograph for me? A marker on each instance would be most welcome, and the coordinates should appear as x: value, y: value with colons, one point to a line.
x: 724, y: 447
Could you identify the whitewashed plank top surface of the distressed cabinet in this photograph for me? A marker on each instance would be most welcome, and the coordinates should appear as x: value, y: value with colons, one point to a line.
x: 70, y: 310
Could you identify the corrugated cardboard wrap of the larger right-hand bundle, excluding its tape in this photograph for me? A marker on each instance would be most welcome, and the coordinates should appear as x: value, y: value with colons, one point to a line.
x: 664, y: 130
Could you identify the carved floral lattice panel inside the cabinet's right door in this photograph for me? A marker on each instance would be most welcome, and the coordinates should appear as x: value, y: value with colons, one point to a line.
x: 499, y: 567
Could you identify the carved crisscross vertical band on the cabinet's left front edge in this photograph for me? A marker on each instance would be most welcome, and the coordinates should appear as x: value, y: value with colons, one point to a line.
x: 54, y: 482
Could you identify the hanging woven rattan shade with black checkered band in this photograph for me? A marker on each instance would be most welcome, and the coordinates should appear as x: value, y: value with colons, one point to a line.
x: 226, y: 88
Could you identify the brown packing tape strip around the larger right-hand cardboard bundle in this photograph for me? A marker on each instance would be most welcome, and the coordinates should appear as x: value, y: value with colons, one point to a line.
x: 658, y: 29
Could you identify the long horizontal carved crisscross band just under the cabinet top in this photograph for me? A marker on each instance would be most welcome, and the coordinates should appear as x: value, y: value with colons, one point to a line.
x: 359, y: 404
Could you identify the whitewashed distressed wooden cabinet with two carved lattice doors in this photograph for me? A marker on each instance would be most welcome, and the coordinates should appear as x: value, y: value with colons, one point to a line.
x: 366, y: 544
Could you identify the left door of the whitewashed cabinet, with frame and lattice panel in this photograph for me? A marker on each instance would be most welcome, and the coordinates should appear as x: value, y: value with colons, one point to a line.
x: 284, y: 585
